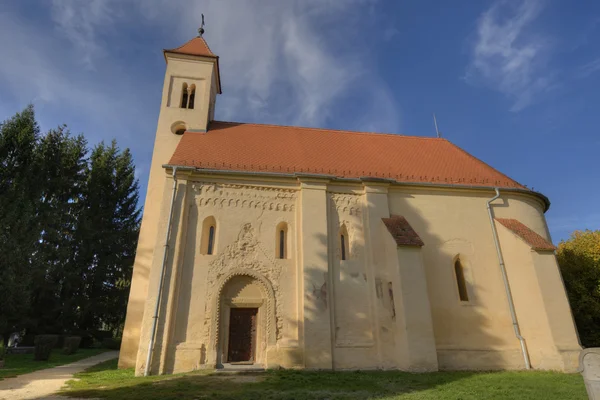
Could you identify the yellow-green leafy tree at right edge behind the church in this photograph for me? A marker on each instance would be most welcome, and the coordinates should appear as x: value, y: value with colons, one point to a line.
x: 579, y: 260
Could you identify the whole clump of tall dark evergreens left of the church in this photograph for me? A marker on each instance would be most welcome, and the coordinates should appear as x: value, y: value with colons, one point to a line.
x: 68, y: 230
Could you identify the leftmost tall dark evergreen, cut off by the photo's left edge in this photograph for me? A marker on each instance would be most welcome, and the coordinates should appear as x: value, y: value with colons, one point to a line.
x: 19, y: 190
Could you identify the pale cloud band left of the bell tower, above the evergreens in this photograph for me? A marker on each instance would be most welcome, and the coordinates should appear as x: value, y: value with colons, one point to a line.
x: 42, y: 68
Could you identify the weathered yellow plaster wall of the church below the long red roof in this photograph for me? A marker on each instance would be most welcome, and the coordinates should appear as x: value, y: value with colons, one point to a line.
x: 384, y: 307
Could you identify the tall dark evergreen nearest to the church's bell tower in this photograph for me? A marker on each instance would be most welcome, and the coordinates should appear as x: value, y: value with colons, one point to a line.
x: 108, y: 233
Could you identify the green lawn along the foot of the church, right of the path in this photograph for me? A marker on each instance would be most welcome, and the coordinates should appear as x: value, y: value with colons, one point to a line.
x: 107, y: 382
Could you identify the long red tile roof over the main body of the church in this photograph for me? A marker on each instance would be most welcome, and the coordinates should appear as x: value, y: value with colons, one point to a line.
x: 286, y: 149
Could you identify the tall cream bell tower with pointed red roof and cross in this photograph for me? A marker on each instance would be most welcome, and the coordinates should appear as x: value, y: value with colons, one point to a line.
x: 190, y: 88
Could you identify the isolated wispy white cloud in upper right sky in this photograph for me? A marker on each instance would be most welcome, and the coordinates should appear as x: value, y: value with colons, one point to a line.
x: 508, y: 56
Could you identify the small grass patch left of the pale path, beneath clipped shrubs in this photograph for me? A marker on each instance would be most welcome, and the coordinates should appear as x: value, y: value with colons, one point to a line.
x: 19, y: 364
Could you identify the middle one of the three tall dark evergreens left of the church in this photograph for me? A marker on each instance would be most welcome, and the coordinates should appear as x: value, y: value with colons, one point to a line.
x: 63, y: 170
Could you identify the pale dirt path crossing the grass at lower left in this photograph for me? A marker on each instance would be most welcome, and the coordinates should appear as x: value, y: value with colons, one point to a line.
x: 42, y: 384
